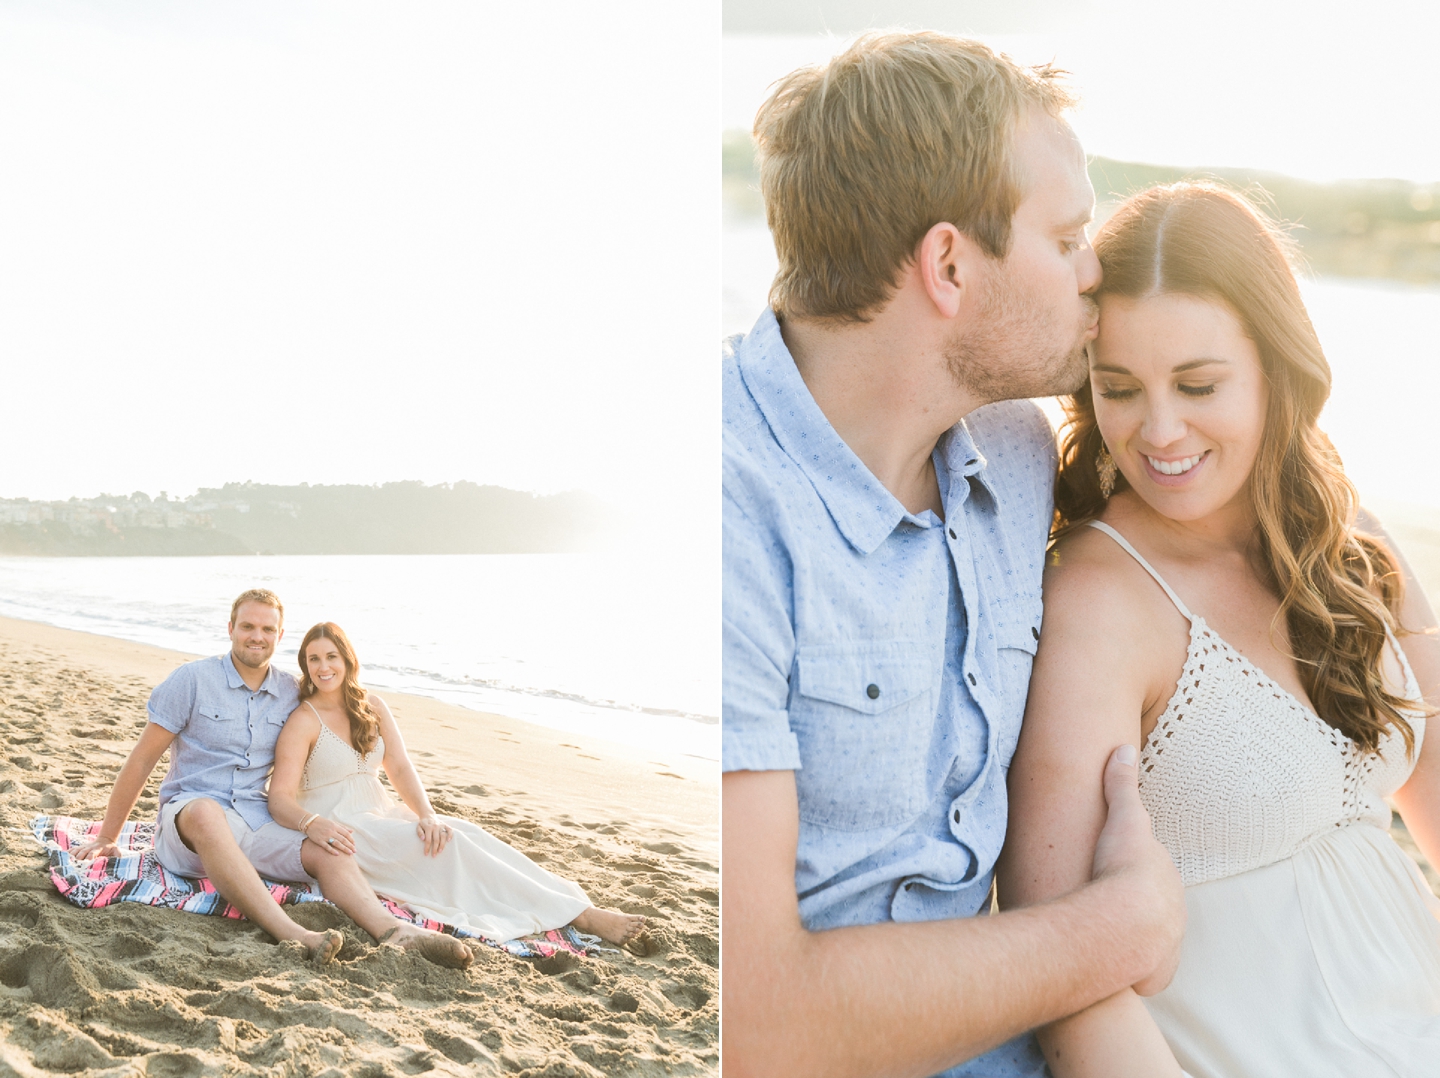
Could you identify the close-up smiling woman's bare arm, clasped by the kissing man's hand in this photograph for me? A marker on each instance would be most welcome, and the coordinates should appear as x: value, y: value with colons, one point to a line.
x: 1091, y: 687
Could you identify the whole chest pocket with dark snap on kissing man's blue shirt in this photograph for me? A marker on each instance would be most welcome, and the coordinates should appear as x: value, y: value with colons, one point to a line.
x: 865, y: 717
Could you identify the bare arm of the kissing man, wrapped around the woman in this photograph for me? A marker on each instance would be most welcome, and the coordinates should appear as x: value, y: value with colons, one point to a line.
x: 912, y: 1000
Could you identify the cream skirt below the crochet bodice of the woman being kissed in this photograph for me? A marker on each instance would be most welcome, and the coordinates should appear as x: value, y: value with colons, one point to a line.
x: 1323, y: 965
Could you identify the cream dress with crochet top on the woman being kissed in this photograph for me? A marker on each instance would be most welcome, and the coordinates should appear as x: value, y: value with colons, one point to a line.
x: 1314, y: 945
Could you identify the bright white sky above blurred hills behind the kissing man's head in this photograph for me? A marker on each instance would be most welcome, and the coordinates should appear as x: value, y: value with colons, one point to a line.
x: 1315, y: 89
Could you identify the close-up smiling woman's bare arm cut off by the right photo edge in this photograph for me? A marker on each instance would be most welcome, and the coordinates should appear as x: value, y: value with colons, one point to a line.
x: 1419, y: 800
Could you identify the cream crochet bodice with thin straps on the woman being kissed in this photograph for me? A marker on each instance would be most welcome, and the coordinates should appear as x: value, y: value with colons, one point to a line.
x: 1238, y: 774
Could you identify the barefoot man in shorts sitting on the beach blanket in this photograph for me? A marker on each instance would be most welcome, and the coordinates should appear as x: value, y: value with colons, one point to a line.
x: 221, y: 719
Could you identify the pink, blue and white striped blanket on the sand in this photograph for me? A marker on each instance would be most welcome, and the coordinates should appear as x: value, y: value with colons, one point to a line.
x: 139, y: 877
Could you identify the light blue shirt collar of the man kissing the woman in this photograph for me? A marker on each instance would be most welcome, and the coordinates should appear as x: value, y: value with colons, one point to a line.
x: 865, y: 512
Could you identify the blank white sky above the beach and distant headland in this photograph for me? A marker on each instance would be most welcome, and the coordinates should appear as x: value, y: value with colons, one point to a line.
x: 356, y: 243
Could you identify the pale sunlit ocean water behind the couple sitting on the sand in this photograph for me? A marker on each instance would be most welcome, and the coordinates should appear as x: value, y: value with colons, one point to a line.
x: 620, y: 647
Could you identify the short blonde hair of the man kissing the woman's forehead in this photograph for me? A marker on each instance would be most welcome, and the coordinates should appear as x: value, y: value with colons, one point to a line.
x: 863, y: 156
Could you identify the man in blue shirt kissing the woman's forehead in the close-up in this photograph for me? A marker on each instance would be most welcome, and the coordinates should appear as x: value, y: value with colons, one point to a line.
x: 885, y: 536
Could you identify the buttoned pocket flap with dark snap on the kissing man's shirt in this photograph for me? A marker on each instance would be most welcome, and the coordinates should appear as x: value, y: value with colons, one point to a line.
x: 866, y: 679
